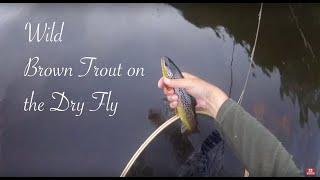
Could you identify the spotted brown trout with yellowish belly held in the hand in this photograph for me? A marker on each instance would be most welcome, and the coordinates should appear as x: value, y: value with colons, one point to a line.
x: 186, y: 103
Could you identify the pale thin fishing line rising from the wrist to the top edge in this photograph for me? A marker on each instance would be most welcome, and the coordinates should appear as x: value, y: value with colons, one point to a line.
x: 251, y: 56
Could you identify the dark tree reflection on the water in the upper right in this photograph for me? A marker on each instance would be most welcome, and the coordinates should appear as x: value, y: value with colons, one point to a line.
x: 285, y: 44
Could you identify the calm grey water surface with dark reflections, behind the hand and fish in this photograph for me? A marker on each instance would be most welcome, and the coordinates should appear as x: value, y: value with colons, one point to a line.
x: 212, y: 41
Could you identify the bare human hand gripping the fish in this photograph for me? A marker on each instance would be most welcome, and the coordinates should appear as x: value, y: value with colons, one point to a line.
x: 208, y: 96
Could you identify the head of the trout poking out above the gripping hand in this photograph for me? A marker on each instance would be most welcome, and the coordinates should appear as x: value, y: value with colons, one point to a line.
x: 169, y: 69
